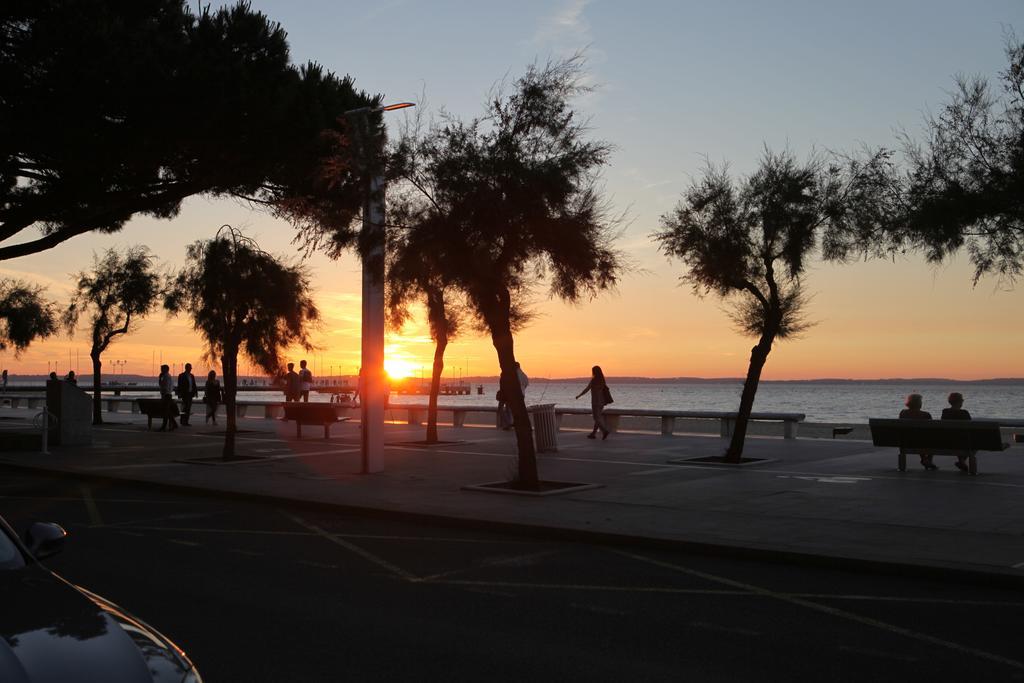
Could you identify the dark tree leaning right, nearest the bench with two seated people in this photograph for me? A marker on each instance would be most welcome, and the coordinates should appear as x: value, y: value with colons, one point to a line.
x: 749, y: 243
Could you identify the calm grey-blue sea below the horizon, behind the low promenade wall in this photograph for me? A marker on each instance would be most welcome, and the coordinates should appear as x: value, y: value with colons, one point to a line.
x: 842, y: 402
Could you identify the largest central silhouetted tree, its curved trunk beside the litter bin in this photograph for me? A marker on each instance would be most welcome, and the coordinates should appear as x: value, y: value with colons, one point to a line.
x: 509, y: 200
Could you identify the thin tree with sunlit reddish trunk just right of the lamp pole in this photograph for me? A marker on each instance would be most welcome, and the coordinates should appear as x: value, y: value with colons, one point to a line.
x: 413, y: 276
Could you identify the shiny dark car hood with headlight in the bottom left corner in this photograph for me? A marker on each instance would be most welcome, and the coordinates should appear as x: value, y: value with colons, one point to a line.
x: 55, y: 632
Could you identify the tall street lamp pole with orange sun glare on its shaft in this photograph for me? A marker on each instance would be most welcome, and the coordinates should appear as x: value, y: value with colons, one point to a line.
x: 373, y: 395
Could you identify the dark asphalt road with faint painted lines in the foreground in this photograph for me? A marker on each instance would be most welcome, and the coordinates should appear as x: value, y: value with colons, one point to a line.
x: 258, y: 593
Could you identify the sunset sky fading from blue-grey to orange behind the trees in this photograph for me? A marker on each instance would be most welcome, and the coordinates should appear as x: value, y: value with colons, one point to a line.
x: 679, y: 82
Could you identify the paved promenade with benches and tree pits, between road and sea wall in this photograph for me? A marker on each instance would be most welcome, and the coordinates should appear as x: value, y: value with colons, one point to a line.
x: 829, y: 501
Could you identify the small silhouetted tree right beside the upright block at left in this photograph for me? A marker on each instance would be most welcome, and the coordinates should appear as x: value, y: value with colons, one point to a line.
x: 115, y: 295
